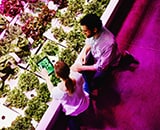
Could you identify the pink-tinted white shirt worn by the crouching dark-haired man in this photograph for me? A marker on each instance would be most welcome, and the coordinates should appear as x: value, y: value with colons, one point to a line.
x: 104, y: 49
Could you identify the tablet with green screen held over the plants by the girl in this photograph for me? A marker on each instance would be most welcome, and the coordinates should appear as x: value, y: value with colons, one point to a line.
x: 47, y: 64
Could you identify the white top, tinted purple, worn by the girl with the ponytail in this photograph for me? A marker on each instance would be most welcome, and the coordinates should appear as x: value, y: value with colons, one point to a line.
x: 75, y: 104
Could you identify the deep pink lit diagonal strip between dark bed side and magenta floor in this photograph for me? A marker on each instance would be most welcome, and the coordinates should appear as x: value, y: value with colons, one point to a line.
x: 131, y: 24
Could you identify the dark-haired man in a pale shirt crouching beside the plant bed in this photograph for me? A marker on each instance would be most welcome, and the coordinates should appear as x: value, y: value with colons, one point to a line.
x: 99, y: 53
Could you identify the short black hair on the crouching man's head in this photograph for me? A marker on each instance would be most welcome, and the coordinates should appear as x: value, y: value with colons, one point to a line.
x: 91, y: 21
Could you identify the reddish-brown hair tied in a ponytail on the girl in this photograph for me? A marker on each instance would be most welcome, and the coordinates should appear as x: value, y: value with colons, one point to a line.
x: 62, y: 70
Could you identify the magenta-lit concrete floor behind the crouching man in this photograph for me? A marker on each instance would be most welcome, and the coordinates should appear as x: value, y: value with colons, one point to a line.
x: 131, y: 98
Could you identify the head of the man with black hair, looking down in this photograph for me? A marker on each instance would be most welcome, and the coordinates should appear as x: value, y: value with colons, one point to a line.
x: 91, y: 24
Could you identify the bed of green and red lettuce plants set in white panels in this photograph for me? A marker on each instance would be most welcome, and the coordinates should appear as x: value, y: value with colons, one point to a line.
x: 25, y: 36
